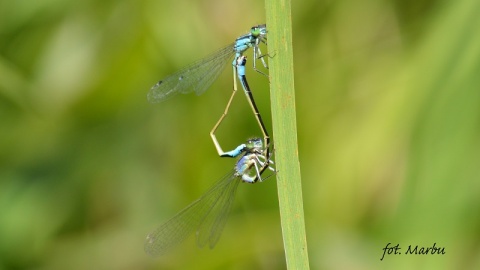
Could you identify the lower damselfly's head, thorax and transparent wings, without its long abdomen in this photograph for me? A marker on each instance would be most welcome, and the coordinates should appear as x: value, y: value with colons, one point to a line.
x: 208, y: 214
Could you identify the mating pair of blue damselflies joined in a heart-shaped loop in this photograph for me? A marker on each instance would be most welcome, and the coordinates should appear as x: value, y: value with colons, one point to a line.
x: 208, y: 214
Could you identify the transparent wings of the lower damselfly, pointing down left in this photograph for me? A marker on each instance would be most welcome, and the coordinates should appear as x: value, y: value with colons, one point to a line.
x: 194, y: 216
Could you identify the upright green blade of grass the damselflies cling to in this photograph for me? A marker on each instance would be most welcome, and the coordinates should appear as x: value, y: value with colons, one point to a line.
x: 284, y: 124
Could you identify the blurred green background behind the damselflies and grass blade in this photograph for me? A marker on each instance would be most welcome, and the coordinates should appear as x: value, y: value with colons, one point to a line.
x: 388, y: 112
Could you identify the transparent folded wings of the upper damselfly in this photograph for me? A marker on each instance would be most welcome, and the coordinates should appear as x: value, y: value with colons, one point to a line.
x: 196, y: 77
